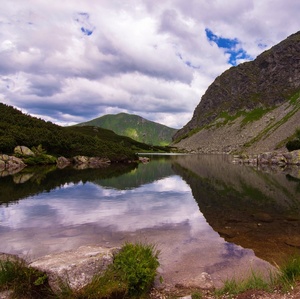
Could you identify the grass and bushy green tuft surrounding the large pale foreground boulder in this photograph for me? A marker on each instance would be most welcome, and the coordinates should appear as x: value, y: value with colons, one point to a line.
x: 131, y: 275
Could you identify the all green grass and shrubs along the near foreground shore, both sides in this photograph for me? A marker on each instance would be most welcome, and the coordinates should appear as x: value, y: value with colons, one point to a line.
x: 131, y: 275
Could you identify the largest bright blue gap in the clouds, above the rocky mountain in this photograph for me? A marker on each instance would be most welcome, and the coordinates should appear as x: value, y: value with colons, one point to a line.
x: 230, y: 46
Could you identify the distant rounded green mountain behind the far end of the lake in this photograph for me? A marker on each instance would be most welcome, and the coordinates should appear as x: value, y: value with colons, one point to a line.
x: 135, y: 127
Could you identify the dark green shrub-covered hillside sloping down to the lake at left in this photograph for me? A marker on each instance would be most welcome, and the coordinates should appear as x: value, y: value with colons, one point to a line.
x: 17, y: 128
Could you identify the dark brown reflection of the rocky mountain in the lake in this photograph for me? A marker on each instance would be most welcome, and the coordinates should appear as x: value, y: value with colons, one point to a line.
x: 246, y: 206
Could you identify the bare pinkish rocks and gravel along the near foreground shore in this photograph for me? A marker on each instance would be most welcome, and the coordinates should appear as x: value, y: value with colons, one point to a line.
x: 78, y: 266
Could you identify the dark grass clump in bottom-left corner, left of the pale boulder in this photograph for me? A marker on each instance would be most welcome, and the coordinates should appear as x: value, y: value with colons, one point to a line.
x: 23, y: 281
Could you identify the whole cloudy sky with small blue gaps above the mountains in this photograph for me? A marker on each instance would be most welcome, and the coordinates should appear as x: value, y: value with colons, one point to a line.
x: 72, y: 61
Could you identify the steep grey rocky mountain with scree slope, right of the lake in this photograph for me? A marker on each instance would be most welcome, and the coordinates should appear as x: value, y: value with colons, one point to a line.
x: 251, y: 107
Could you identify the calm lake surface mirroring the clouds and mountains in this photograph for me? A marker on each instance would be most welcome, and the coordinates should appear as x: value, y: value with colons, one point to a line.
x: 204, y: 213
